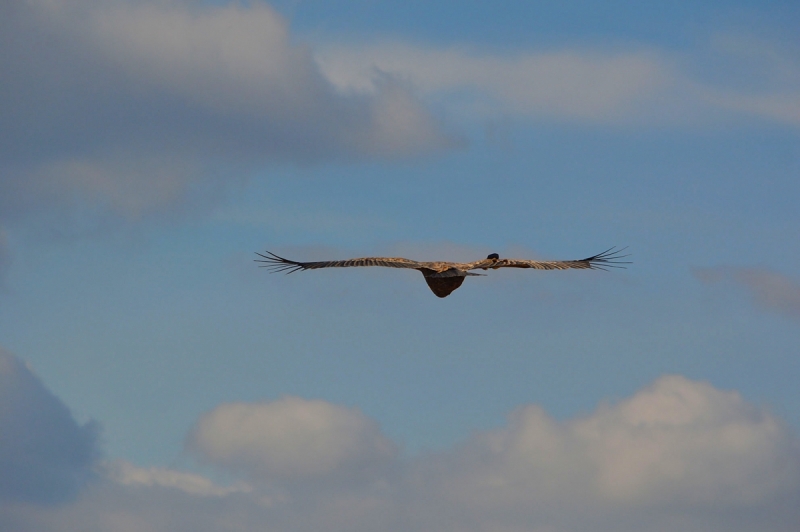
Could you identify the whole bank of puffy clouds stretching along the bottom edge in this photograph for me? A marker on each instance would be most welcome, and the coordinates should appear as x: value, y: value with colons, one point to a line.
x: 677, y: 455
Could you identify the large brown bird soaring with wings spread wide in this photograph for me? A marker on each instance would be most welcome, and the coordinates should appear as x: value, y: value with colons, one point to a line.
x: 444, y: 277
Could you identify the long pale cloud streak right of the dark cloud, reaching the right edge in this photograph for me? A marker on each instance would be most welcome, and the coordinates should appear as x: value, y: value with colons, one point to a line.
x: 639, y: 85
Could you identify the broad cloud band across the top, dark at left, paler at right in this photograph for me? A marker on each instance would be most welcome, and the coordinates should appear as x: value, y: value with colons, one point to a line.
x: 133, y: 105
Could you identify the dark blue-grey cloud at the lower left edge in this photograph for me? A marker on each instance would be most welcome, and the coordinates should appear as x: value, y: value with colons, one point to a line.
x: 45, y: 456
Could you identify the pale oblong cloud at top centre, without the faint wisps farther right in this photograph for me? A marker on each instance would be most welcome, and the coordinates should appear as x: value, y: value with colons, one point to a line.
x: 568, y: 84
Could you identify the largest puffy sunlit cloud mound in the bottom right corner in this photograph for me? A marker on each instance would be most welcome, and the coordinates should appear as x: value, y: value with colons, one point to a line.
x: 678, y: 455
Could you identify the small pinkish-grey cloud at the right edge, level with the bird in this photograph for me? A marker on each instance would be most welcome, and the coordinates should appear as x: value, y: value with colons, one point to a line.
x: 769, y: 290
